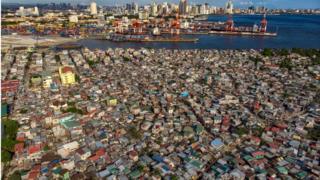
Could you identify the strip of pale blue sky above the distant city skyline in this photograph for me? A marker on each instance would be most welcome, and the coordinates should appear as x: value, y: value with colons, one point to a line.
x: 299, y: 4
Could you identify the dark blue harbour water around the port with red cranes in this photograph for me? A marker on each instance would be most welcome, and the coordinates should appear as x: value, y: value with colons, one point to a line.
x: 294, y: 31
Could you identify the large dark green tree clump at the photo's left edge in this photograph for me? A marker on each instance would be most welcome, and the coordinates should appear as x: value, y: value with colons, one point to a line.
x: 9, y: 139
